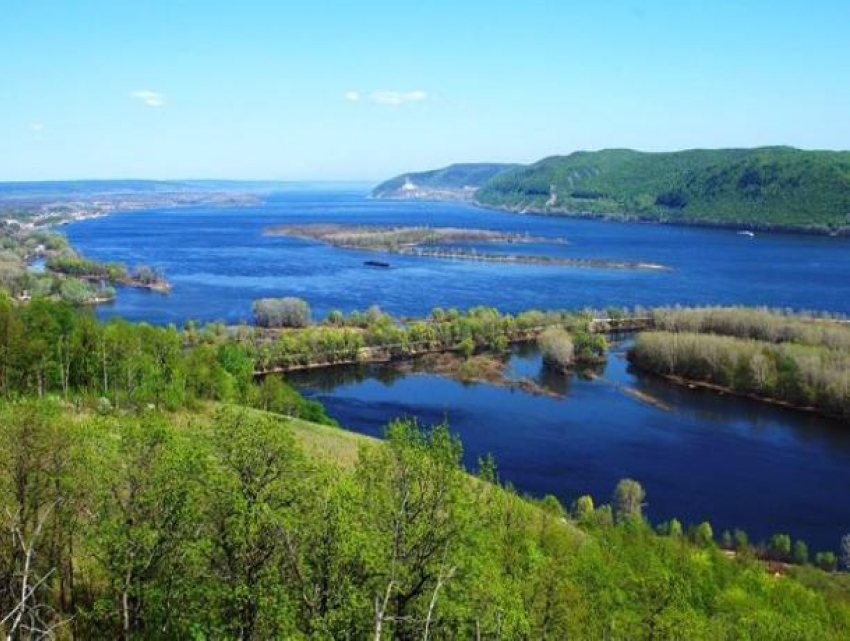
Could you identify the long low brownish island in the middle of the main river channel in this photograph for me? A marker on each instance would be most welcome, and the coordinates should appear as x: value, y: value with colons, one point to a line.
x: 431, y: 242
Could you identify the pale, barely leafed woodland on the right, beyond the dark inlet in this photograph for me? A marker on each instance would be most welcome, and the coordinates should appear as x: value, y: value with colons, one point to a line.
x: 777, y: 356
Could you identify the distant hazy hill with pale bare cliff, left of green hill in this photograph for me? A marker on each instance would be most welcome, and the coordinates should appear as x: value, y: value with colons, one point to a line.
x: 455, y: 182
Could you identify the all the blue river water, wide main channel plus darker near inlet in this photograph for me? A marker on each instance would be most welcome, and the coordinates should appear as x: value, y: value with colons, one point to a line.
x: 733, y: 462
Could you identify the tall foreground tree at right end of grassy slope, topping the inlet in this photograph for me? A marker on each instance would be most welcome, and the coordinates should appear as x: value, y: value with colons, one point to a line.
x: 415, y: 509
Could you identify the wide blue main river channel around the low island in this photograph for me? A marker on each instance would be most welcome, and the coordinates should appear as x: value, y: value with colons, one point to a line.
x: 218, y: 261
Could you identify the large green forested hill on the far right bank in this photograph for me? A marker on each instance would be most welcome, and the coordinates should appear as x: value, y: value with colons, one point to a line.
x: 769, y: 187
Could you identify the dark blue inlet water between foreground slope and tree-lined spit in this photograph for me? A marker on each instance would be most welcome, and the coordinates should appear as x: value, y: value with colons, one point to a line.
x: 734, y: 462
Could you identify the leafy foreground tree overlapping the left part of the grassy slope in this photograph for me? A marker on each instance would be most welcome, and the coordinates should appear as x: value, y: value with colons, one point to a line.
x: 252, y: 491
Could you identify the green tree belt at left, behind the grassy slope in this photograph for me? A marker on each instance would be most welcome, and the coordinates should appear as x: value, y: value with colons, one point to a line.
x: 51, y: 348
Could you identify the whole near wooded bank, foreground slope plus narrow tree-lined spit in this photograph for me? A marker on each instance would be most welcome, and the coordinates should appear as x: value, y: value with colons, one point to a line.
x: 155, y: 487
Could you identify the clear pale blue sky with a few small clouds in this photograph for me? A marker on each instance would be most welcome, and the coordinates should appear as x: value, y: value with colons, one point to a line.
x: 333, y: 90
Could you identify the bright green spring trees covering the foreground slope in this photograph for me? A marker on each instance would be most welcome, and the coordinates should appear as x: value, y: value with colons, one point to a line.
x: 221, y: 526
